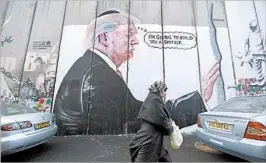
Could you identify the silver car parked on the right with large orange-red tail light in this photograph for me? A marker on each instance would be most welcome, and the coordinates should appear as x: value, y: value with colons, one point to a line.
x: 236, y: 127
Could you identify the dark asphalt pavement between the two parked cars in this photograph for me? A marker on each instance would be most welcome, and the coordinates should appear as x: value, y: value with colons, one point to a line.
x: 109, y: 149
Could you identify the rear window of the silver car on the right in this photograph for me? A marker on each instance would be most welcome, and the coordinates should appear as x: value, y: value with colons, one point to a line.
x: 254, y: 104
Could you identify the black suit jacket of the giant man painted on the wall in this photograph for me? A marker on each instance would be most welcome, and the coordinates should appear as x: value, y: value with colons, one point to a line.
x: 93, y: 99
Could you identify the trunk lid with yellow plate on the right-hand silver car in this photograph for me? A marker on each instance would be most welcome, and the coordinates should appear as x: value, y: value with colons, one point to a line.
x: 229, y: 124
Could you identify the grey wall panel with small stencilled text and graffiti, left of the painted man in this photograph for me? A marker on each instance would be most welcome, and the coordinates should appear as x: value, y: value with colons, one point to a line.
x: 42, y: 54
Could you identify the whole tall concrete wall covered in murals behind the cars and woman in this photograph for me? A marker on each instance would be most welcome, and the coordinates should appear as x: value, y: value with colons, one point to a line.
x: 91, y: 62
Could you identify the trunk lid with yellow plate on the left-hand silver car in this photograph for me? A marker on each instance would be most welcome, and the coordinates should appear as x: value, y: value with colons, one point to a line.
x: 40, y: 121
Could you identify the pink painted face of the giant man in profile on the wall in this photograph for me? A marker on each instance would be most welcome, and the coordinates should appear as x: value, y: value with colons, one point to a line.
x: 119, y: 44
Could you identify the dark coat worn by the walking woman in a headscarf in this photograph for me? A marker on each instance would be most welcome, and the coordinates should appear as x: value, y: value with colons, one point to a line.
x: 147, y: 144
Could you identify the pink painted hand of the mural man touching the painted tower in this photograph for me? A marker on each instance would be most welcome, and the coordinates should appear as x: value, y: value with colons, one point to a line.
x: 209, y: 80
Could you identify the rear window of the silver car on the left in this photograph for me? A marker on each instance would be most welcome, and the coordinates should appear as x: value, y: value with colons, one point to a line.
x: 15, y: 109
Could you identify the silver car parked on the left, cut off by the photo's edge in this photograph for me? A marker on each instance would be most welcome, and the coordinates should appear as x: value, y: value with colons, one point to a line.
x: 23, y: 127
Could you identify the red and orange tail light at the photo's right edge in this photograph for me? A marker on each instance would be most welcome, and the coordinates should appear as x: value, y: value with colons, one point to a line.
x: 255, y: 130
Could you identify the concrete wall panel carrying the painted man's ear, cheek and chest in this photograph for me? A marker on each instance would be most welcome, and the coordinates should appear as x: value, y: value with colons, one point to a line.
x: 113, y: 100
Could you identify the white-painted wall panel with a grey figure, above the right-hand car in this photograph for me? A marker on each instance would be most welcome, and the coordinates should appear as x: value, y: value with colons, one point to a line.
x: 247, y: 46
